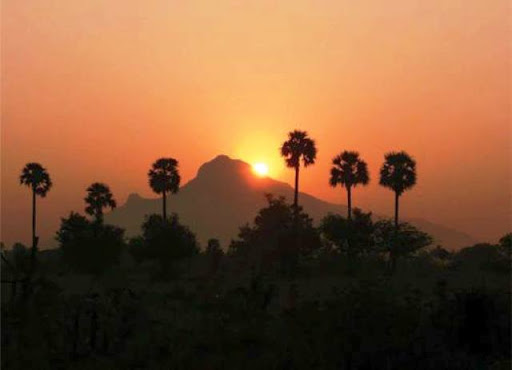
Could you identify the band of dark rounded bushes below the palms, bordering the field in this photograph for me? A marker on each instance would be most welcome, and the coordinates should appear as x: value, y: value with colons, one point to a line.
x: 280, y: 238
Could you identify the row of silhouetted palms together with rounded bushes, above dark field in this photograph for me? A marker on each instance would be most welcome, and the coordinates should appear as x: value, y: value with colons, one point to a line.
x: 282, y: 234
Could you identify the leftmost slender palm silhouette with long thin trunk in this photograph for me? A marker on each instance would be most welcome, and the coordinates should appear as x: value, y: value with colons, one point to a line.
x: 37, y: 178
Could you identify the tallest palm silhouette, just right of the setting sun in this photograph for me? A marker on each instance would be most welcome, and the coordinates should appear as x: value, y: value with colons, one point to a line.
x: 298, y: 146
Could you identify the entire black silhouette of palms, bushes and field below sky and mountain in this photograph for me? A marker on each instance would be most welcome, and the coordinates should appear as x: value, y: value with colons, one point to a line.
x: 353, y: 292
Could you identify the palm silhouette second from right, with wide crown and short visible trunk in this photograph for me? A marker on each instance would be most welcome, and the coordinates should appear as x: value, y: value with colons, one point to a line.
x: 349, y: 171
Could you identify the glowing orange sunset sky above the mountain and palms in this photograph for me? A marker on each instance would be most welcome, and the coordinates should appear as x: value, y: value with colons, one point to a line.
x: 97, y: 90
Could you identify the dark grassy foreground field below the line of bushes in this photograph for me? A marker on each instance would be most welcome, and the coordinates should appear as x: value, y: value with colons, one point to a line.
x: 434, y: 312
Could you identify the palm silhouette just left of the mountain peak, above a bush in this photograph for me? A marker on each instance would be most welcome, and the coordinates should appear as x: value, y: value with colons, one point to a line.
x: 163, y: 178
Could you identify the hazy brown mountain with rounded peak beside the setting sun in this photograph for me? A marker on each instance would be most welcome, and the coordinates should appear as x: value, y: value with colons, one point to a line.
x: 226, y: 194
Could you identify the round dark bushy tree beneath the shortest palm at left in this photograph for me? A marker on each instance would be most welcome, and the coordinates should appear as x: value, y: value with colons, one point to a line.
x: 89, y: 247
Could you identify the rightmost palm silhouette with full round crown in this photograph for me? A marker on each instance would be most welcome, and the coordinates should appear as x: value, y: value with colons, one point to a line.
x: 398, y: 173
